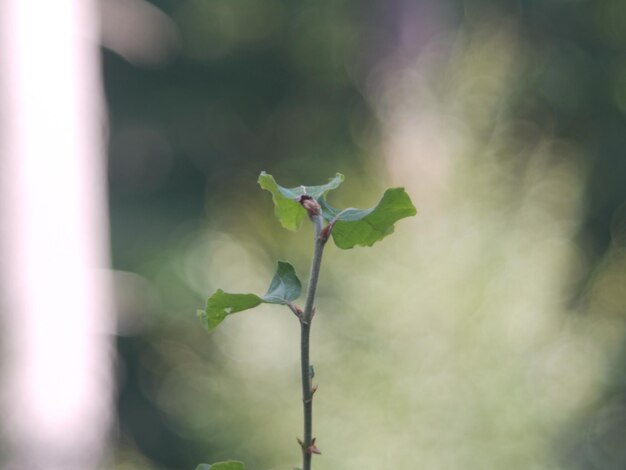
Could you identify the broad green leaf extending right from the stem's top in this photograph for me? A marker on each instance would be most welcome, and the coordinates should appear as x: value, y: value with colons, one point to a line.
x: 365, y: 227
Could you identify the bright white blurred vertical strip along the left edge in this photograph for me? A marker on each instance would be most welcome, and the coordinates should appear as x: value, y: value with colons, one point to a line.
x: 56, y: 314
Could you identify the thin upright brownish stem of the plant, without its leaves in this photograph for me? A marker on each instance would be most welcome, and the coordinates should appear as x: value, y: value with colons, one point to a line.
x: 305, y: 331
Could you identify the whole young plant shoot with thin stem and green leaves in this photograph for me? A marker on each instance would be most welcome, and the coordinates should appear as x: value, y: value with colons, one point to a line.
x: 348, y: 228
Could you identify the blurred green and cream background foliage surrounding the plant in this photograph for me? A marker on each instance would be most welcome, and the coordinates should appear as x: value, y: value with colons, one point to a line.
x: 487, y: 333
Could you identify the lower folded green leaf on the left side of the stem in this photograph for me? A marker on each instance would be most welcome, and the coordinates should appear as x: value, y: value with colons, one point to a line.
x: 284, y: 288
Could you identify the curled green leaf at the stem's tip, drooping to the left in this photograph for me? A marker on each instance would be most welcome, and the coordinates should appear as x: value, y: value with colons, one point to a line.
x: 286, y: 207
